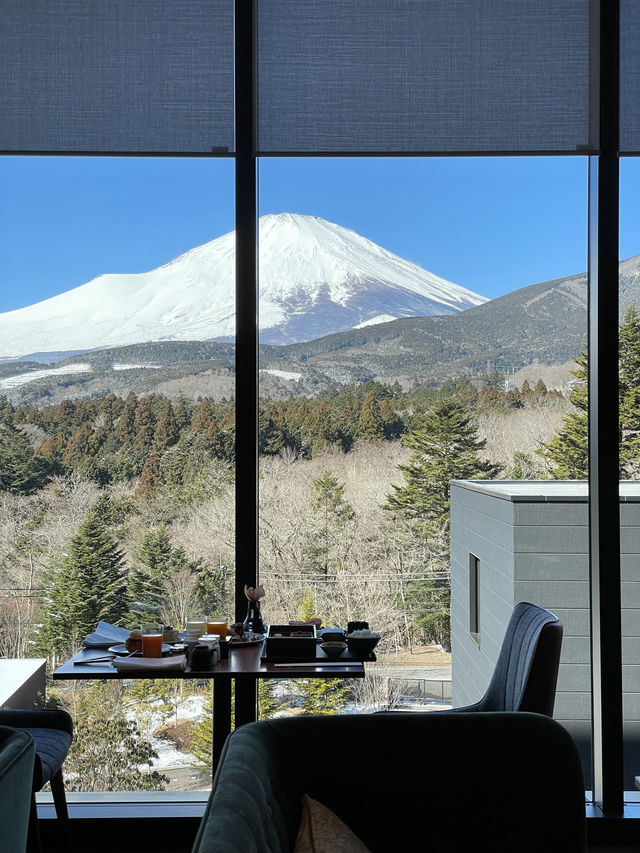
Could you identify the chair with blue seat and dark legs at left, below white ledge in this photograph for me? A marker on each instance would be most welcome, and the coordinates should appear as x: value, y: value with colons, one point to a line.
x: 52, y: 733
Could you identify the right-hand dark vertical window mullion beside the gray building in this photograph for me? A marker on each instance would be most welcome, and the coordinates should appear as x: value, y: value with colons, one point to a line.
x: 604, y: 504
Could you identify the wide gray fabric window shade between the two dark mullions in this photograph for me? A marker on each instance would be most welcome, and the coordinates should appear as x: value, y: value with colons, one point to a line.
x: 423, y: 75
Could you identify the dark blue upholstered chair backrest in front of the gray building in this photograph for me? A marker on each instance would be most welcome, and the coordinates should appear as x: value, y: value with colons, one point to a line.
x: 527, y: 669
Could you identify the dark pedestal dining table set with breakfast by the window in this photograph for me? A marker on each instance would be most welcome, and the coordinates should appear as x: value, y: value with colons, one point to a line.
x: 244, y: 666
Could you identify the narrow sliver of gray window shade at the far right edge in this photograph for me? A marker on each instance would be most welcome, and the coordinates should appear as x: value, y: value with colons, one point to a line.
x: 630, y: 76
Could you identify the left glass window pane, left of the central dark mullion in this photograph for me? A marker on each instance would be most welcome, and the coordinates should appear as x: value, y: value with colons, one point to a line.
x: 117, y: 441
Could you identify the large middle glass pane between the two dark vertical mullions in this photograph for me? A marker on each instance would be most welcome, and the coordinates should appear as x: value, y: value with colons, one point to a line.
x: 398, y: 298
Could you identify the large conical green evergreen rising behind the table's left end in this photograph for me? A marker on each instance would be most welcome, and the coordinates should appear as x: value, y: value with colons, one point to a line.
x: 88, y: 585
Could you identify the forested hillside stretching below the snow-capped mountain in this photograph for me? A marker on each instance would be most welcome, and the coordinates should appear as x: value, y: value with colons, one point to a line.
x: 543, y: 324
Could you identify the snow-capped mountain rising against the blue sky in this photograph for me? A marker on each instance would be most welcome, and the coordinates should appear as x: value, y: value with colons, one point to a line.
x: 316, y: 278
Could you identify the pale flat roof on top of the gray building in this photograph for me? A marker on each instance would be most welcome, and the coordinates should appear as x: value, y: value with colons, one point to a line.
x: 552, y: 491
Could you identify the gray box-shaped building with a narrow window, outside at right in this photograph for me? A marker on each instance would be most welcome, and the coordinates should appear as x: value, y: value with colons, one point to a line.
x: 517, y: 541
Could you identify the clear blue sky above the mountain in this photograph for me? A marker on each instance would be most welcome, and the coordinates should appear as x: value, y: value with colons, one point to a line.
x: 489, y: 224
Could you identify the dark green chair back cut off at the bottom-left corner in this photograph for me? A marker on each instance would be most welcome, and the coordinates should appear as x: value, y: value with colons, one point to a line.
x: 17, y: 755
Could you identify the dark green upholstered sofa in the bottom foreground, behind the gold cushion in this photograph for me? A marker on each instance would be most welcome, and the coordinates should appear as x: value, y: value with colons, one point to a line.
x: 437, y: 782
